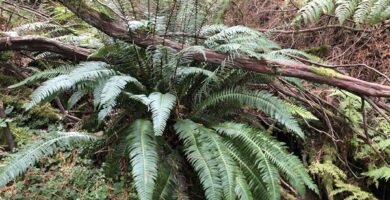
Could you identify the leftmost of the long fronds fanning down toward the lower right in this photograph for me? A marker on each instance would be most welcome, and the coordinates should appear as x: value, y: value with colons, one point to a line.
x: 200, y: 158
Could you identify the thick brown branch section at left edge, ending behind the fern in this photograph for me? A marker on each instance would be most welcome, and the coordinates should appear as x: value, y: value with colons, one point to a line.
x: 35, y: 43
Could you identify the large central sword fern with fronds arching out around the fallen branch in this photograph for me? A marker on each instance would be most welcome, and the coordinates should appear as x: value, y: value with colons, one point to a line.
x: 168, y: 106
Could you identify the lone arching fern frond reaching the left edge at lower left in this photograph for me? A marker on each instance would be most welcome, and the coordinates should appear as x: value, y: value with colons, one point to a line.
x: 19, y: 162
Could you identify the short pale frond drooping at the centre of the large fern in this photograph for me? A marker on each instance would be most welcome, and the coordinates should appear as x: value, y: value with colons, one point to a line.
x: 161, y: 106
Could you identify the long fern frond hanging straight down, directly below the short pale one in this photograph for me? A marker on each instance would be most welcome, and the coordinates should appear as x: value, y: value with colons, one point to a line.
x: 143, y: 157
